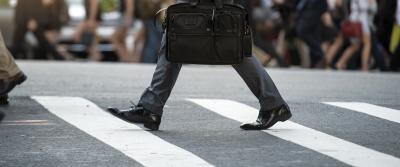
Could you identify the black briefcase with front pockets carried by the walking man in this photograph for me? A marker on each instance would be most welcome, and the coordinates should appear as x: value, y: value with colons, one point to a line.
x: 207, y: 32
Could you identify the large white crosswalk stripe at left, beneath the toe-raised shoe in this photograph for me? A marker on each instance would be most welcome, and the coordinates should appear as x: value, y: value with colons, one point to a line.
x: 140, y: 145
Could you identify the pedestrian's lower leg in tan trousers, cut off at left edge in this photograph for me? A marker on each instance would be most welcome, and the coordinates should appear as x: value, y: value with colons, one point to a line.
x: 10, y: 74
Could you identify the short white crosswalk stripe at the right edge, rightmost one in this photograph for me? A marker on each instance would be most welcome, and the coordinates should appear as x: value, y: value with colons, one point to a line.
x: 370, y: 109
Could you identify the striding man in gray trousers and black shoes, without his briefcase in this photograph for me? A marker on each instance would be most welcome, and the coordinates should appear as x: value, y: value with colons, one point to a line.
x: 150, y: 107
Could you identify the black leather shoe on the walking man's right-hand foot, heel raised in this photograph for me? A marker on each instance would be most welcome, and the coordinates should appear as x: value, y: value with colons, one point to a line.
x: 267, y: 119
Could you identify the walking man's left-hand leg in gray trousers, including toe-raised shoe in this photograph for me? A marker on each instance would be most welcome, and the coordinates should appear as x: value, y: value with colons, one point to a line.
x: 152, y: 101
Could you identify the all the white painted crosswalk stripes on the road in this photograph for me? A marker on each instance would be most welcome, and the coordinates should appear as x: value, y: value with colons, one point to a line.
x: 151, y: 150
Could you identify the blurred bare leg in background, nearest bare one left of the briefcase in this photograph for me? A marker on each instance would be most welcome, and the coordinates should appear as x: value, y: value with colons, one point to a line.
x: 119, y: 36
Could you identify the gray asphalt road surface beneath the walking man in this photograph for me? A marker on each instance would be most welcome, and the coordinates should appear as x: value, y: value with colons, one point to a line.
x: 32, y: 135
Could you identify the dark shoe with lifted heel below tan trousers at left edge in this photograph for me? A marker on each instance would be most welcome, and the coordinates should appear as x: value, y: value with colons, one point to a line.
x: 6, y: 85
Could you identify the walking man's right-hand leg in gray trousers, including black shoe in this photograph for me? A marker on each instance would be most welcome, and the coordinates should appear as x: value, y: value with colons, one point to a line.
x: 273, y: 107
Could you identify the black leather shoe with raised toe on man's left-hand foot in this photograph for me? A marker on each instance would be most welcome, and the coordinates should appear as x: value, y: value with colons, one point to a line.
x: 138, y: 114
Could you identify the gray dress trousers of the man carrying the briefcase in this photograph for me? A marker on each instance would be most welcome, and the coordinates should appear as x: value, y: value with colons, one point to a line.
x: 252, y: 72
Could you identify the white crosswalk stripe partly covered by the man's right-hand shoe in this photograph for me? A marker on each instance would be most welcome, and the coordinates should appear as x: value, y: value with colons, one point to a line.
x: 331, y: 146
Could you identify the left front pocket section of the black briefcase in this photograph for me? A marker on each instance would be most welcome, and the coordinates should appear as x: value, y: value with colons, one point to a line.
x: 189, y: 38
